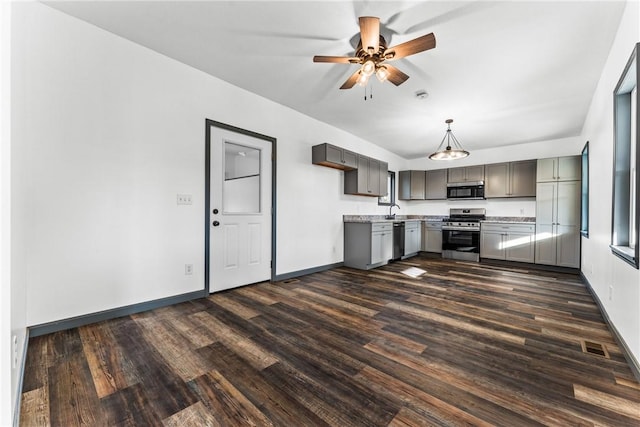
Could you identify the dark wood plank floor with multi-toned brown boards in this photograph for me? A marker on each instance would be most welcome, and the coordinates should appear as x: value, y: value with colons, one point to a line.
x: 463, y: 344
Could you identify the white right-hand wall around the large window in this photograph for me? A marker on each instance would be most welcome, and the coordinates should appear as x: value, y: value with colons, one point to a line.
x: 599, y: 265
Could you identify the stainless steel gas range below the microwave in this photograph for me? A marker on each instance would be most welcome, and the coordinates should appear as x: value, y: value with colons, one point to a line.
x: 461, y: 234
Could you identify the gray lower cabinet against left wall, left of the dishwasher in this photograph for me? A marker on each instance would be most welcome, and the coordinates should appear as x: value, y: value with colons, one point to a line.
x: 367, y: 244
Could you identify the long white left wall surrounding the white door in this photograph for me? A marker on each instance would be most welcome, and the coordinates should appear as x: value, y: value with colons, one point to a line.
x: 107, y: 132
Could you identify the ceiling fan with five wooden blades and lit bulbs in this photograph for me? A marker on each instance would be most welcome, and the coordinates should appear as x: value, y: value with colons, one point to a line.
x: 373, y: 55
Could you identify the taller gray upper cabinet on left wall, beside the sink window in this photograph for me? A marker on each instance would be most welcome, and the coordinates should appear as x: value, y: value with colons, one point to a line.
x: 367, y: 179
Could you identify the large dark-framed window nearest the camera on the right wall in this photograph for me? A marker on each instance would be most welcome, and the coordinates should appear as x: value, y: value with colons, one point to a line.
x: 625, y: 215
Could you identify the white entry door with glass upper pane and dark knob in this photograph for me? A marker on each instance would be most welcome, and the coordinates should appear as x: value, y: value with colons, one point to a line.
x: 240, y: 210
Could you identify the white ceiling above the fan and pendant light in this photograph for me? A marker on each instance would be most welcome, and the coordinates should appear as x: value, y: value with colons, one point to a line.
x: 506, y: 72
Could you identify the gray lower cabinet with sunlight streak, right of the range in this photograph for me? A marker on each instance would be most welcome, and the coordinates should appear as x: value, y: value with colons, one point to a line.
x: 507, y: 241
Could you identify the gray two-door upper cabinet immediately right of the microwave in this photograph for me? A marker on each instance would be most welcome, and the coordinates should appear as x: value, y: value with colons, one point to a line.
x: 513, y: 179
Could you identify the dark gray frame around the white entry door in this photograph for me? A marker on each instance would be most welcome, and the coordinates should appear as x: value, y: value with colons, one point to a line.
x: 207, y: 190
